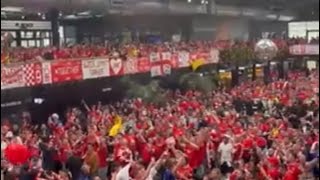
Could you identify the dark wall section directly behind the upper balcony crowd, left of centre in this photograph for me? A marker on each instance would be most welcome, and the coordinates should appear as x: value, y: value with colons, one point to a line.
x: 100, y: 27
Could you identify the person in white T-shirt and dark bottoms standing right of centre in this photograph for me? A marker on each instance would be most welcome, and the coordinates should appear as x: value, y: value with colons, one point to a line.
x: 225, y: 151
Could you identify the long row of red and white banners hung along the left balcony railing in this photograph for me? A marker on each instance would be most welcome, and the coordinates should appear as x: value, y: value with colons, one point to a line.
x: 58, y: 71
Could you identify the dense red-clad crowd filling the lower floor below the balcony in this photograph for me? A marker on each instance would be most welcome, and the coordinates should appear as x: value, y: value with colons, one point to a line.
x: 251, y: 132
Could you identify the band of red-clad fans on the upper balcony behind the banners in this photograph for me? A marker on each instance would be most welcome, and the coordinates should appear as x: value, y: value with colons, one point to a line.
x: 20, y: 54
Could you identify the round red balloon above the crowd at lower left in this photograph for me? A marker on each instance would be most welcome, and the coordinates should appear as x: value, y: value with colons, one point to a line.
x: 17, y: 154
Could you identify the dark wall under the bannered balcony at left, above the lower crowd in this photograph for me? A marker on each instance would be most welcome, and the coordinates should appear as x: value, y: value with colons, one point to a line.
x: 59, y: 97
